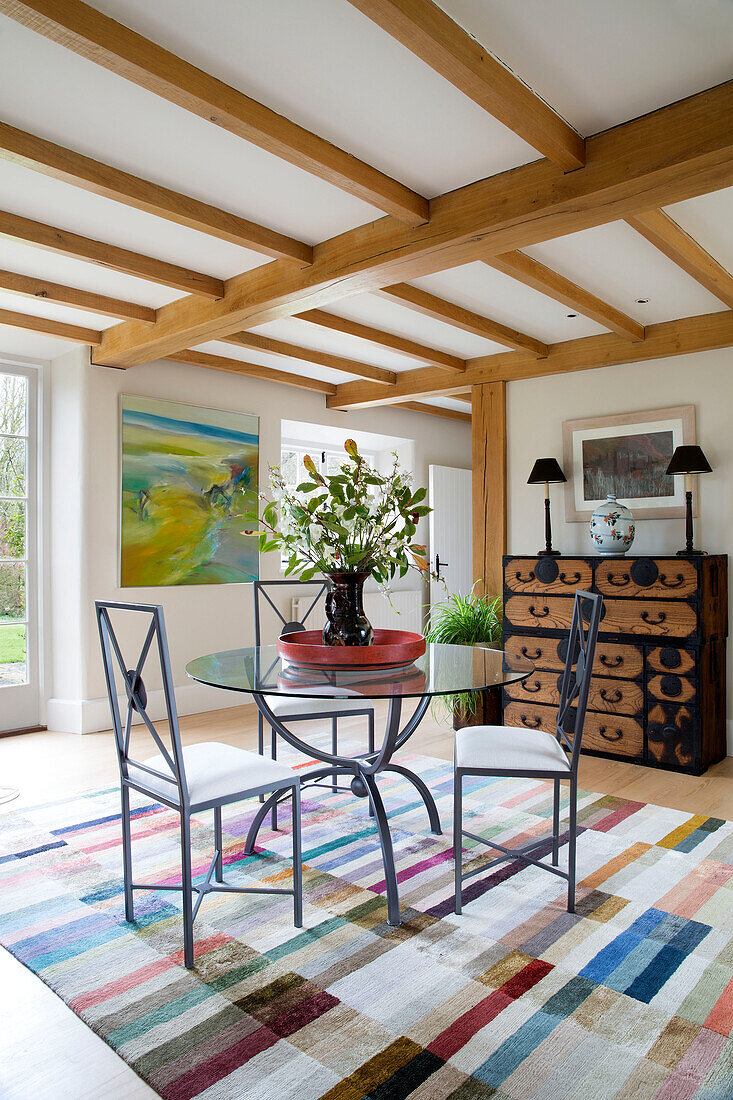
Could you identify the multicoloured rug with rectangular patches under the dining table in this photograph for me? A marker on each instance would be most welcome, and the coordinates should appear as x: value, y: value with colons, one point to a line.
x: 631, y: 998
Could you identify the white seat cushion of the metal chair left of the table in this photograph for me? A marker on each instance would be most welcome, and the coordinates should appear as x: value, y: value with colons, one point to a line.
x: 214, y: 772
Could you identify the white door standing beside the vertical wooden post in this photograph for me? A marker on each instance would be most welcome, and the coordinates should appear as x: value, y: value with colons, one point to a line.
x: 452, y: 552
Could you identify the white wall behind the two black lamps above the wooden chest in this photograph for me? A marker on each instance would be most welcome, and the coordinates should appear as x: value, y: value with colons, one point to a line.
x: 538, y: 408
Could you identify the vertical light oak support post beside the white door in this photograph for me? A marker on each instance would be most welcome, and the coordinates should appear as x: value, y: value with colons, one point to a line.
x: 489, y: 466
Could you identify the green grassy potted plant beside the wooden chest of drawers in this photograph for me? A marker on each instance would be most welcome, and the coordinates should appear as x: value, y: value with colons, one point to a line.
x: 466, y: 621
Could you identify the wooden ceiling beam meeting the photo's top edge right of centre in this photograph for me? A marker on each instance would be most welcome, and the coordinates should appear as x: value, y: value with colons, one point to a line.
x: 433, y: 37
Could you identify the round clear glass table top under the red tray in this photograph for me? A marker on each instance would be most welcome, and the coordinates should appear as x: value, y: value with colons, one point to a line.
x: 443, y: 670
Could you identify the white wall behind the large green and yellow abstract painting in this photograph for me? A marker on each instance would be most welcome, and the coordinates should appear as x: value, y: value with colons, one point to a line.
x: 85, y: 520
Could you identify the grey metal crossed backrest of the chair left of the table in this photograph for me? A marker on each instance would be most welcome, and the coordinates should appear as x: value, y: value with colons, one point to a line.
x: 119, y: 669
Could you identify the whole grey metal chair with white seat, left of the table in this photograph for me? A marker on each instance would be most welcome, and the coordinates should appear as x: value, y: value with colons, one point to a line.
x: 190, y: 780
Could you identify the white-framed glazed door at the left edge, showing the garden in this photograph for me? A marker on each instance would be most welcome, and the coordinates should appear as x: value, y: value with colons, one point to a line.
x: 19, y: 566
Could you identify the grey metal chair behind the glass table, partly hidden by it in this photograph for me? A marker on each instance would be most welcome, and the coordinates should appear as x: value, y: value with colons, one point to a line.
x: 299, y: 710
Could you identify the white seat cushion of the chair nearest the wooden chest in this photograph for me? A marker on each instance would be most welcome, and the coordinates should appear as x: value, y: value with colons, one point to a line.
x: 509, y: 749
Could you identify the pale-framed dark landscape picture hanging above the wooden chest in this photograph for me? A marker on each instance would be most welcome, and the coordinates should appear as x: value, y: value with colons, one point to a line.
x: 627, y: 456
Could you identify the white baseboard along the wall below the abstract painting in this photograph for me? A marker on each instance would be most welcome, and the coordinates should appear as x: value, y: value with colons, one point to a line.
x: 93, y: 716
